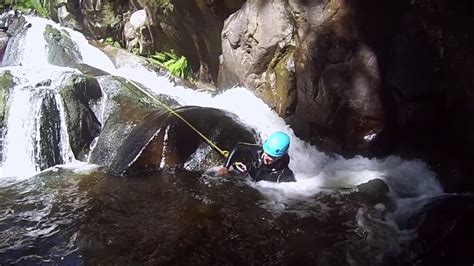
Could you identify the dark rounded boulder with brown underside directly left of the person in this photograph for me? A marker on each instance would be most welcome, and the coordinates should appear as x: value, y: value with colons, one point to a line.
x: 176, y: 145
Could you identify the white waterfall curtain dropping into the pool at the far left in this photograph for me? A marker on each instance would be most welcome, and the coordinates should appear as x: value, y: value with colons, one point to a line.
x: 30, y: 144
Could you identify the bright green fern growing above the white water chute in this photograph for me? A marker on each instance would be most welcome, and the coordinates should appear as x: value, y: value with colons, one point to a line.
x: 176, y: 65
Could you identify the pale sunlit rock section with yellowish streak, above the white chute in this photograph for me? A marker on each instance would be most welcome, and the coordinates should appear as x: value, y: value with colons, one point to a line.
x: 257, y: 52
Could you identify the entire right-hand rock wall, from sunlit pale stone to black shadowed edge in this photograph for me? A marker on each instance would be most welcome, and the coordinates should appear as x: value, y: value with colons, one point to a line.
x: 366, y: 75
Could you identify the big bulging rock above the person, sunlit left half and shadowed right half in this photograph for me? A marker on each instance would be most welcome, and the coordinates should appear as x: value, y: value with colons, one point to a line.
x: 305, y: 59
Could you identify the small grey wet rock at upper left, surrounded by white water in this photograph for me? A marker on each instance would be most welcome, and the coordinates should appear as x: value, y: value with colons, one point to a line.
x: 62, y: 50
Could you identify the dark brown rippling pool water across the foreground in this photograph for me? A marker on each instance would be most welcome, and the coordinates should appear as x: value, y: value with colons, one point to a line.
x: 185, y: 218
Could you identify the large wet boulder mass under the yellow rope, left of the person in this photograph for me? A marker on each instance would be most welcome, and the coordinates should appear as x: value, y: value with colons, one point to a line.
x: 140, y: 134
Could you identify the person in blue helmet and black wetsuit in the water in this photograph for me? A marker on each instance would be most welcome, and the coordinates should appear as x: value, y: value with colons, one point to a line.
x: 262, y: 162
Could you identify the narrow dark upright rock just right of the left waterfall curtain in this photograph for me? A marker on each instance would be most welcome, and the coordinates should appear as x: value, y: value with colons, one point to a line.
x: 80, y: 94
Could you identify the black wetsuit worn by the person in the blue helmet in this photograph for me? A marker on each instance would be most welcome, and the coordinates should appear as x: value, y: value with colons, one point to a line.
x: 251, y: 156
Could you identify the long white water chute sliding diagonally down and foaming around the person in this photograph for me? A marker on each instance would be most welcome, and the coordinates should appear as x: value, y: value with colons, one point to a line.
x: 314, y: 170
